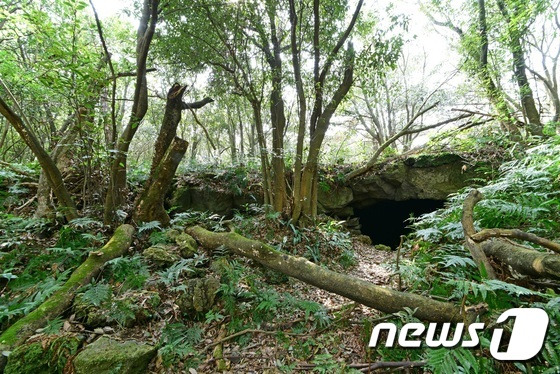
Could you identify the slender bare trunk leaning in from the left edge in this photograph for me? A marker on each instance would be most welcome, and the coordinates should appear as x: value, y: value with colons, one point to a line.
x: 49, y: 167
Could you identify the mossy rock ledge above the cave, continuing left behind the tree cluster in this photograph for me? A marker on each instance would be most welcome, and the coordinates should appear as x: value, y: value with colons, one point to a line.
x: 425, y: 176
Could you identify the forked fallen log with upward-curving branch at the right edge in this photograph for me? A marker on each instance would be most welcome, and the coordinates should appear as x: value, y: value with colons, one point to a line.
x: 522, y: 259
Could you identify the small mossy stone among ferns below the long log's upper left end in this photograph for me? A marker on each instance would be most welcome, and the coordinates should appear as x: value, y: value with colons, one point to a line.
x: 199, y: 295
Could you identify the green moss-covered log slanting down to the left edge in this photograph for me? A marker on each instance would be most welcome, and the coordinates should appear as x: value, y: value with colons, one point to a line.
x: 62, y: 298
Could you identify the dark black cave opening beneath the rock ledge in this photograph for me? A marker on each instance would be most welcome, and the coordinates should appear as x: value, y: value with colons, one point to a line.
x: 385, y: 221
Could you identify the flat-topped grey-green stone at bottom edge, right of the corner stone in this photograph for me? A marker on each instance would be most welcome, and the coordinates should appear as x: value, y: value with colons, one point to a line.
x: 107, y: 355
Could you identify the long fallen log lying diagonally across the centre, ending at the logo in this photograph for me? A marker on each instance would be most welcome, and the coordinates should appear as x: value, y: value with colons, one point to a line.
x: 366, y: 293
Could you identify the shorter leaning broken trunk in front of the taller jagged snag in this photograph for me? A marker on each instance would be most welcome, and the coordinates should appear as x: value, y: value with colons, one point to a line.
x: 150, y: 204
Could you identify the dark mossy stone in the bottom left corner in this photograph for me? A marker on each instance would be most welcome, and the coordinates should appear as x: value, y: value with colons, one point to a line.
x: 48, y: 355
